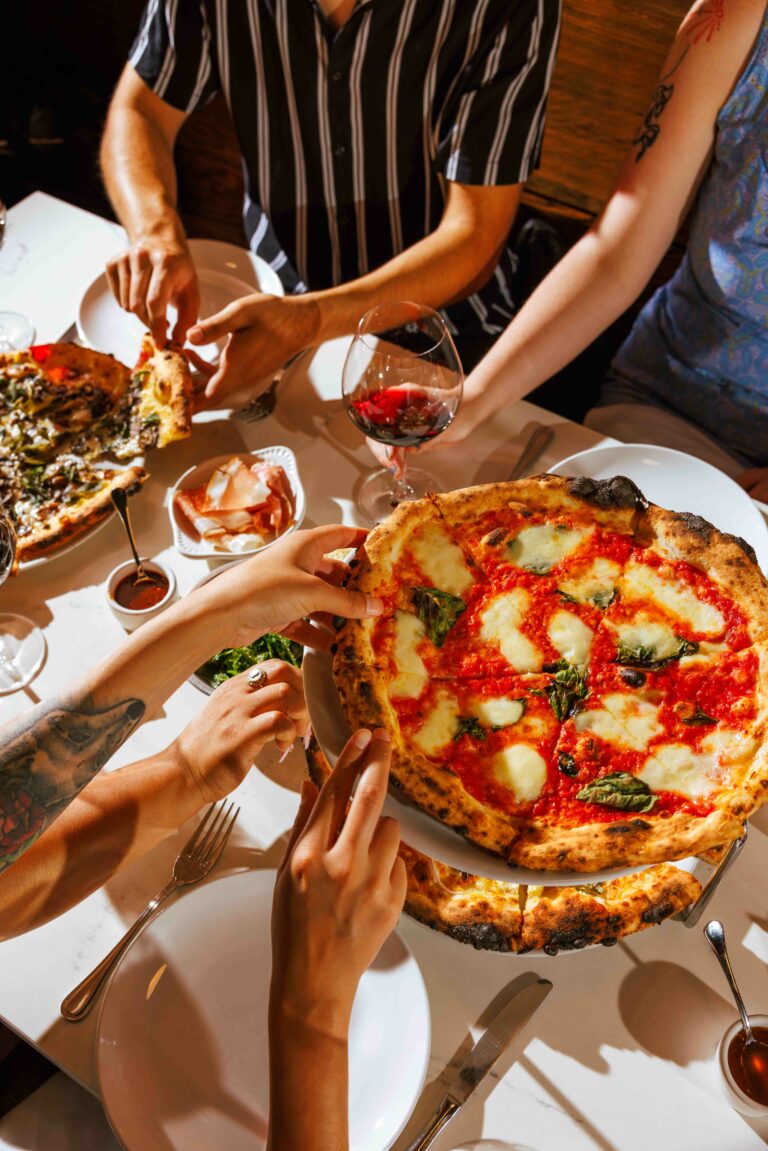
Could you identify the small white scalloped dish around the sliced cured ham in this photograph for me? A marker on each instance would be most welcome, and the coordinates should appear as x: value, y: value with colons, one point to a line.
x: 188, y: 543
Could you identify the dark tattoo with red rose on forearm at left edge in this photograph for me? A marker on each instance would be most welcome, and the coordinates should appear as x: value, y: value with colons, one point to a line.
x: 48, y: 758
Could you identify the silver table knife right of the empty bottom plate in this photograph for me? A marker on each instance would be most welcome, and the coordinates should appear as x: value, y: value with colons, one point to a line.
x: 511, y: 1020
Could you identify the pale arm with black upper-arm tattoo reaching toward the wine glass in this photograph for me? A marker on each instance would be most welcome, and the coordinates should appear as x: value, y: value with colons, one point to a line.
x: 605, y: 273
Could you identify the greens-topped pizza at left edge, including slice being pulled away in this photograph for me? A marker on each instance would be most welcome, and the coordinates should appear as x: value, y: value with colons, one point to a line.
x: 67, y: 416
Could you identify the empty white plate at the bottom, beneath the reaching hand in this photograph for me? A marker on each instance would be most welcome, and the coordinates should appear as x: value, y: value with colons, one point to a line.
x: 183, y: 1036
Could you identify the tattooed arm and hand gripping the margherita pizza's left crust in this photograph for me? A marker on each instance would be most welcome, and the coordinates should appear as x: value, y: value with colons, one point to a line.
x: 49, y: 756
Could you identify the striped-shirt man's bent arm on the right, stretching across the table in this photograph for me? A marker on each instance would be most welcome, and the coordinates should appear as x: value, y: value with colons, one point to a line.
x: 453, y: 262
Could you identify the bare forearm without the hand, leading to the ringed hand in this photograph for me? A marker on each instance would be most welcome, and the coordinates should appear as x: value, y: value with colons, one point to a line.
x: 117, y: 819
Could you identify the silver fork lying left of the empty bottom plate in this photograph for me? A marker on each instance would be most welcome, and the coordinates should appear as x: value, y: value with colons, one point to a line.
x: 197, y: 858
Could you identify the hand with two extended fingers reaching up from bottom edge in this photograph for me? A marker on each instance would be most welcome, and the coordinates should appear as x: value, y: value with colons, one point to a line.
x: 340, y: 891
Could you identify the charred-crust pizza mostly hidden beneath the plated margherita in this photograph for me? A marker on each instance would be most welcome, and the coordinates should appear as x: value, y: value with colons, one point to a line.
x: 519, y: 918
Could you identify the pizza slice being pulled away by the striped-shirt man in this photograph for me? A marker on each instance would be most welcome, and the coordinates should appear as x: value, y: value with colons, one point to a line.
x: 163, y: 395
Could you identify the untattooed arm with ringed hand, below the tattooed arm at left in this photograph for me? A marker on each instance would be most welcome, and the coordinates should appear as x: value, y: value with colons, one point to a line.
x: 123, y: 814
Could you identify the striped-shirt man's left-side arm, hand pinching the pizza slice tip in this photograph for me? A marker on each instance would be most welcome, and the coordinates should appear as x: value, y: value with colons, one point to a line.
x: 138, y: 165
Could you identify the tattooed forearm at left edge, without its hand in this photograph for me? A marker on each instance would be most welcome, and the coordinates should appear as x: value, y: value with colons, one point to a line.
x: 52, y: 752
